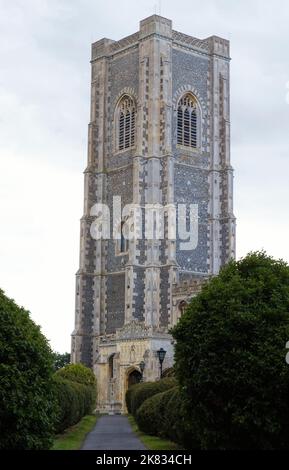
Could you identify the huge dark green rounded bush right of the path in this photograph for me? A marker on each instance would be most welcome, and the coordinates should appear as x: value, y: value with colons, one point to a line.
x: 230, y: 357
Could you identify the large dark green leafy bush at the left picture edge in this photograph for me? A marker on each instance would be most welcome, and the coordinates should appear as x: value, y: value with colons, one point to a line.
x: 26, y: 388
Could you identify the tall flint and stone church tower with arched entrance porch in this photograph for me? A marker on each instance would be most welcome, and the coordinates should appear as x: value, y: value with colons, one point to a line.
x: 159, y: 134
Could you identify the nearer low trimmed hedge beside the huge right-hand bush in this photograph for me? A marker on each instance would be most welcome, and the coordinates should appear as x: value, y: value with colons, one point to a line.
x: 163, y: 415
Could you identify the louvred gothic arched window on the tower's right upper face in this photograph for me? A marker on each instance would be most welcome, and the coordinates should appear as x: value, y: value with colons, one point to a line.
x: 188, y: 121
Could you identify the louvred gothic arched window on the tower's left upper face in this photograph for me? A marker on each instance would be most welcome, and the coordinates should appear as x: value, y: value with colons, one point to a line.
x: 126, y: 123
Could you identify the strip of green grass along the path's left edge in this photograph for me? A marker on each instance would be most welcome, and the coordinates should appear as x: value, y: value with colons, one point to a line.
x: 73, y: 437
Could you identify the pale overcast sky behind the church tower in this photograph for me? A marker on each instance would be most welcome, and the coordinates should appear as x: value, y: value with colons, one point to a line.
x: 44, y: 112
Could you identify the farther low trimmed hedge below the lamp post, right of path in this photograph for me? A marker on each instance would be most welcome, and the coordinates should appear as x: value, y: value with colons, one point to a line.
x: 138, y: 393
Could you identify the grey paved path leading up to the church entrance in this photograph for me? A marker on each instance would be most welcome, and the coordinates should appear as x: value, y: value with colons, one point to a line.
x: 112, y: 433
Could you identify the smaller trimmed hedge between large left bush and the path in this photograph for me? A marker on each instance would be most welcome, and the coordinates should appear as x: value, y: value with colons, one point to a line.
x: 75, y: 390
